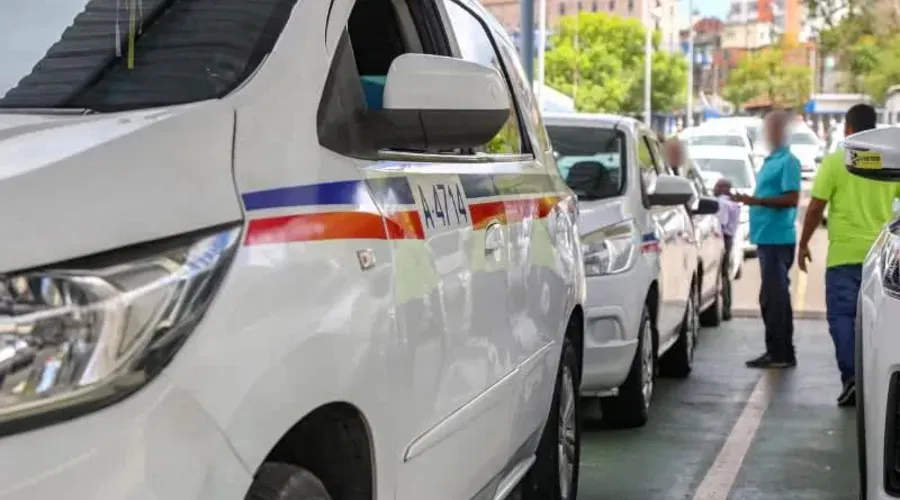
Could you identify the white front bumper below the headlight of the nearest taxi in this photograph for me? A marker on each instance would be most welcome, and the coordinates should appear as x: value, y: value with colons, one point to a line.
x: 158, y: 444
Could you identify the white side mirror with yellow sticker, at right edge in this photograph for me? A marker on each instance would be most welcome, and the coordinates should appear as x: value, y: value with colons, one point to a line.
x: 874, y: 154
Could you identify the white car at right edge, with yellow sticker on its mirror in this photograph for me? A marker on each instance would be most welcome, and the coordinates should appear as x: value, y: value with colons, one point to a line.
x: 874, y: 154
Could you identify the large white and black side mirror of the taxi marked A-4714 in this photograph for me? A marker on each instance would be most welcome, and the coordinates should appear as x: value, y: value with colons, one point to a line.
x: 438, y: 103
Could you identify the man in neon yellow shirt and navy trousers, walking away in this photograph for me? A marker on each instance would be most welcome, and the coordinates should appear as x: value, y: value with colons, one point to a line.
x: 858, y: 210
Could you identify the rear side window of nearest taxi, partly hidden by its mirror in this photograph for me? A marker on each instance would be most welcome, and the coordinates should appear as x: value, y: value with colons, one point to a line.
x: 476, y: 45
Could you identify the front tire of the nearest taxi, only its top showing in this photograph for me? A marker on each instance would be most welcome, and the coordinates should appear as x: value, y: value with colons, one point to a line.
x: 277, y: 481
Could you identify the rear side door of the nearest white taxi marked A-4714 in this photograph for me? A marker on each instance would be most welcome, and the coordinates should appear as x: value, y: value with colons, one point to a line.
x: 542, y: 271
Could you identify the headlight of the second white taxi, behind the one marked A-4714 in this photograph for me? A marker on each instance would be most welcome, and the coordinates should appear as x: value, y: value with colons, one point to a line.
x: 612, y: 249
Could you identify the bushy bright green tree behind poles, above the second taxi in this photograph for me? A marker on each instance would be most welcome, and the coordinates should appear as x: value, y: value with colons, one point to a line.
x: 598, y: 59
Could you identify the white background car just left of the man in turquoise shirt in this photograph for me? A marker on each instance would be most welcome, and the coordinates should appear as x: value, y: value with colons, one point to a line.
x: 734, y: 164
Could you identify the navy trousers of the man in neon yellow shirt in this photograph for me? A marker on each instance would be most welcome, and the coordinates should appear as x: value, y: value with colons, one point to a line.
x: 841, y: 291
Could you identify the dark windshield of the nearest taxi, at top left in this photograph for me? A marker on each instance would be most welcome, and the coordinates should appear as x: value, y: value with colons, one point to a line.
x: 110, y: 56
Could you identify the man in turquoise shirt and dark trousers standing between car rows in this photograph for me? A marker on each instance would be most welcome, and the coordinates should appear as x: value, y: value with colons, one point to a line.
x: 773, y: 215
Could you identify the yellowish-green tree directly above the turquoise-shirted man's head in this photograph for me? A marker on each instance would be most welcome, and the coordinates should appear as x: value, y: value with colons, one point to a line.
x: 768, y: 74
